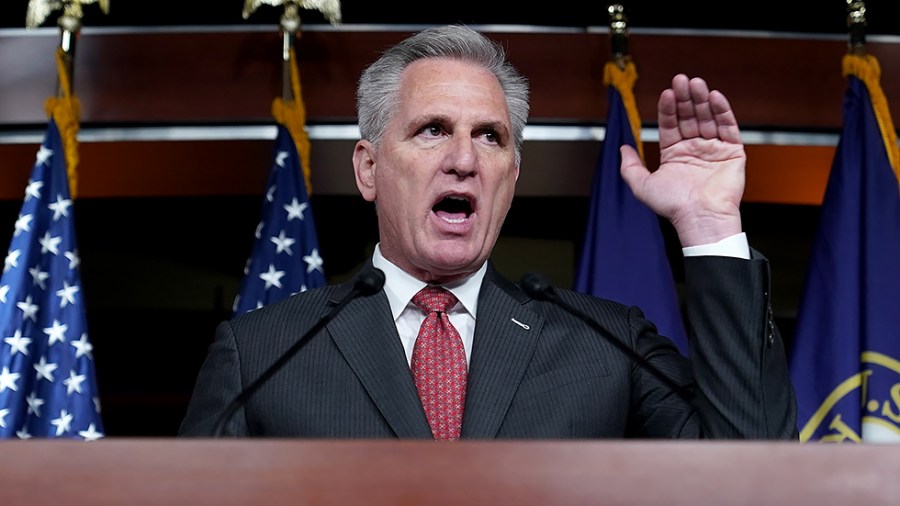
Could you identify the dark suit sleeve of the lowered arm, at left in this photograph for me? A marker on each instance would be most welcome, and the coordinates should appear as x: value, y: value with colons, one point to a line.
x: 218, y: 383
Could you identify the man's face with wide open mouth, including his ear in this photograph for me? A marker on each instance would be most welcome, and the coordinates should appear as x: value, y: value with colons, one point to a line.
x: 444, y: 173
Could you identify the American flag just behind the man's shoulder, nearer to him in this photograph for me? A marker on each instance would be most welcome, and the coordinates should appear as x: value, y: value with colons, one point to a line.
x: 285, y: 257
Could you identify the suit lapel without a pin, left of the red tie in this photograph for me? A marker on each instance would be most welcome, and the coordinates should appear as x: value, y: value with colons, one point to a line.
x: 366, y: 335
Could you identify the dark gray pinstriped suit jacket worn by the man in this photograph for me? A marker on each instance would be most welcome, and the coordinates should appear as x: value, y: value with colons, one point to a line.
x: 557, y: 378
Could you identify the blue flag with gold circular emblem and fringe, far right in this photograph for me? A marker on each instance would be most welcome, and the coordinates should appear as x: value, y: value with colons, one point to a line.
x: 845, y: 362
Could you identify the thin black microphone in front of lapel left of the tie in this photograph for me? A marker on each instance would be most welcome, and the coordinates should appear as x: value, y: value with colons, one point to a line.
x: 369, y: 282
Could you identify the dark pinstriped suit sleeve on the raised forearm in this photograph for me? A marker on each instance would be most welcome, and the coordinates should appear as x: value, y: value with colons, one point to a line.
x: 742, y: 383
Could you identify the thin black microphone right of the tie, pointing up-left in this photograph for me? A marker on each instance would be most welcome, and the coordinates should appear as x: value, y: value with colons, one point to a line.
x: 538, y: 287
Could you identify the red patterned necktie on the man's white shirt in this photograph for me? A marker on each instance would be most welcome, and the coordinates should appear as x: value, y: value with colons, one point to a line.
x: 439, y: 364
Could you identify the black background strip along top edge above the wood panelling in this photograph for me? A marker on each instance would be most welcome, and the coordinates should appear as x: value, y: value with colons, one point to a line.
x: 806, y: 16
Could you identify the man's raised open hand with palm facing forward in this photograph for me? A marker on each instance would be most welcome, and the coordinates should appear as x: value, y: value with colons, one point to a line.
x: 700, y: 180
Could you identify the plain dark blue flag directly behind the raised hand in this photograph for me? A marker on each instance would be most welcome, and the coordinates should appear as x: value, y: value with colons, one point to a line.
x: 623, y: 257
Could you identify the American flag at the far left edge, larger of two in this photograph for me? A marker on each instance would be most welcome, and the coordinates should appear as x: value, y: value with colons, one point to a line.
x: 48, y: 386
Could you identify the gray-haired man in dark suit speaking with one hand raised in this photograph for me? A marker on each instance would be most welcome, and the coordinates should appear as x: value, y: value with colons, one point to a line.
x: 441, y: 117
